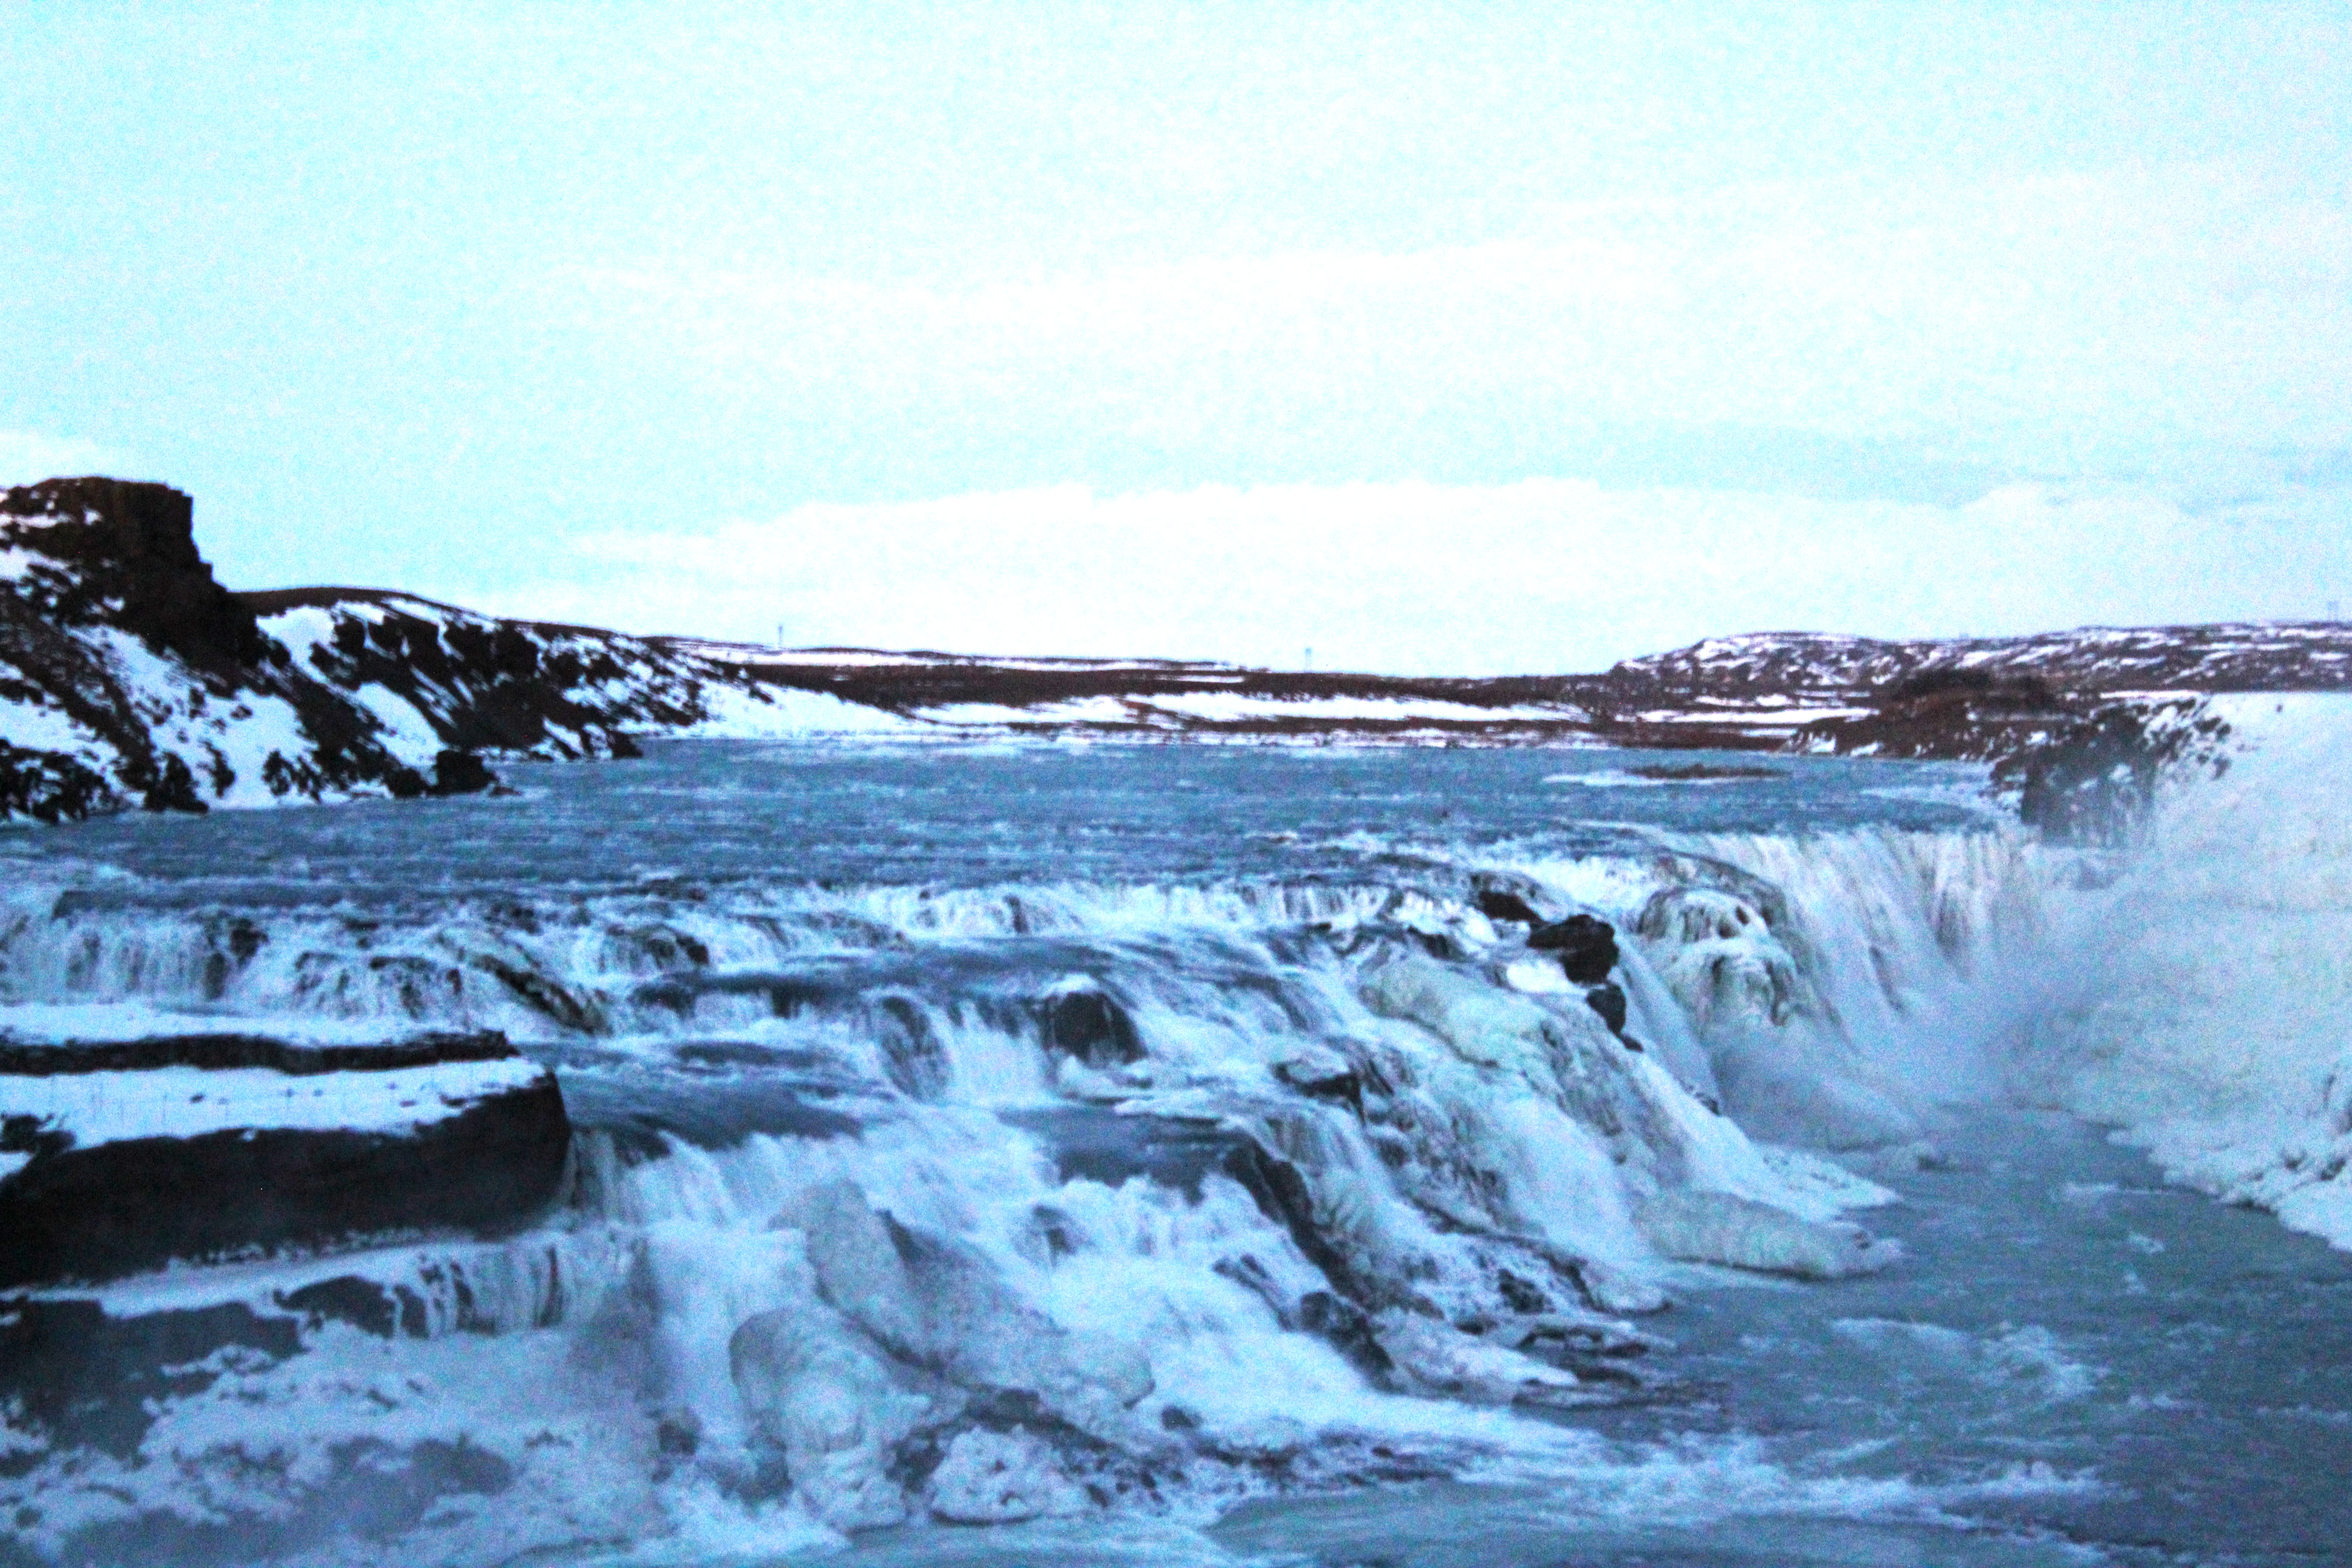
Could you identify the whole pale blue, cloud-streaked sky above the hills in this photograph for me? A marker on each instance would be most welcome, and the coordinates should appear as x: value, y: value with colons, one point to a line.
x: 1438, y: 337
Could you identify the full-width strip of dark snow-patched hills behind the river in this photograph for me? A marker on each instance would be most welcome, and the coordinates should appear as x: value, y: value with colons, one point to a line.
x: 131, y: 678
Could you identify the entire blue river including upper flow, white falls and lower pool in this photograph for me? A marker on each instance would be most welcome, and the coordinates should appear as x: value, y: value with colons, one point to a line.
x: 1259, y: 1198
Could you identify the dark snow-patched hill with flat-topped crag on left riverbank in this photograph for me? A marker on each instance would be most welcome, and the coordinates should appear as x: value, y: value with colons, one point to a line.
x: 131, y: 678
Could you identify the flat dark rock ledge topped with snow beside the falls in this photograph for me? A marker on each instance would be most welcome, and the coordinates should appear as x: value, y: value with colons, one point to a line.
x: 283, y: 1146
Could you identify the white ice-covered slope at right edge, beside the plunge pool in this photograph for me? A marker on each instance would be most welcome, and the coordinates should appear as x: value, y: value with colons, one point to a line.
x: 2217, y: 1031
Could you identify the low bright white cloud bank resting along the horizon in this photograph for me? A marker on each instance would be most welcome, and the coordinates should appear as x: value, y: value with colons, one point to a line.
x: 1450, y: 579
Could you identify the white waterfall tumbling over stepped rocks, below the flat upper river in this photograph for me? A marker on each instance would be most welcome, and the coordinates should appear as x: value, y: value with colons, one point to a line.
x: 1003, y: 1202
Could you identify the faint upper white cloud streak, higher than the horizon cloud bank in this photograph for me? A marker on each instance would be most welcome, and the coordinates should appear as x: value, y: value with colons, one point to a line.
x: 2193, y: 302
